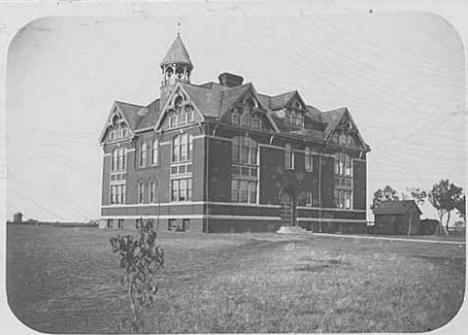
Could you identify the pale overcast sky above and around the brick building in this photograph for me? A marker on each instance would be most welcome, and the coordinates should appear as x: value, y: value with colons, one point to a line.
x: 401, y: 76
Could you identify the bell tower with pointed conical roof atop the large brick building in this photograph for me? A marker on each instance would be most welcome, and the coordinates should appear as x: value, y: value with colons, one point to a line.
x: 176, y: 67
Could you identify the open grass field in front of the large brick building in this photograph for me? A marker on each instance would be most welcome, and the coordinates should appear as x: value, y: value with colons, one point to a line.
x: 66, y: 280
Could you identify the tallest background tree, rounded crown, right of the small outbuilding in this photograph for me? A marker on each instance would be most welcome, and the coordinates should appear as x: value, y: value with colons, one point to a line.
x: 444, y: 197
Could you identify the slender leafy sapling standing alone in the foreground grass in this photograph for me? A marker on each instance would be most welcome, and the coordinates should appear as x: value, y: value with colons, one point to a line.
x: 140, y: 258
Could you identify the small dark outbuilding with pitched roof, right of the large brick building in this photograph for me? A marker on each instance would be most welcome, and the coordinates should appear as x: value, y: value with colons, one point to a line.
x: 396, y: 217
